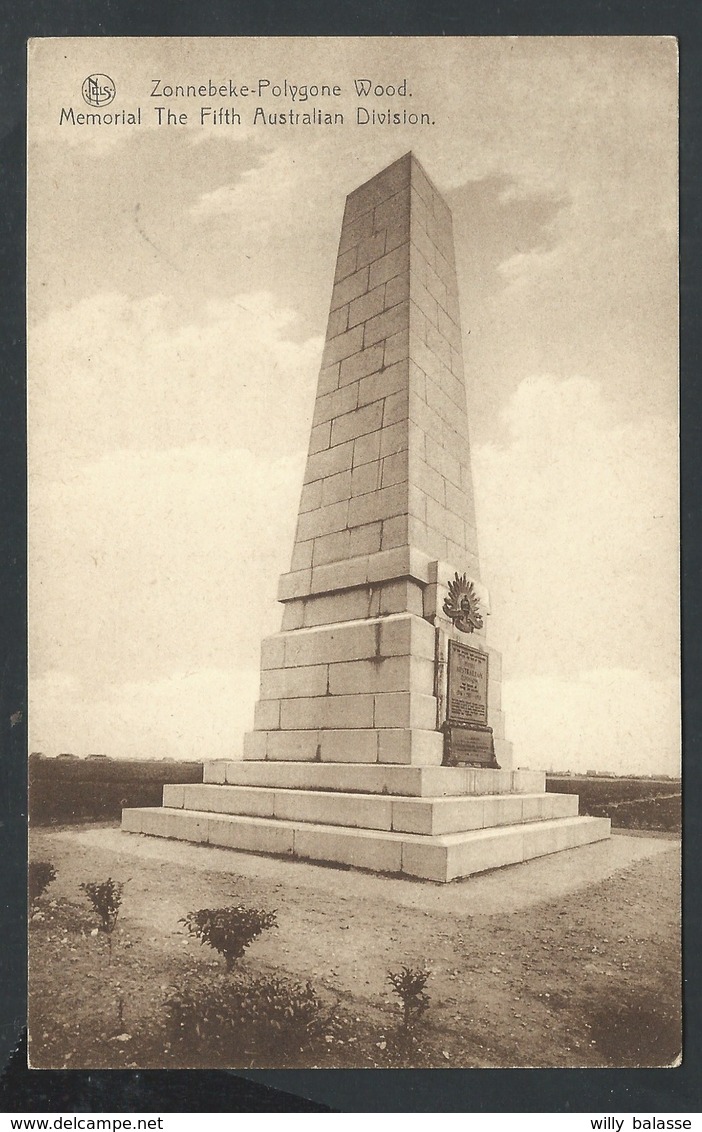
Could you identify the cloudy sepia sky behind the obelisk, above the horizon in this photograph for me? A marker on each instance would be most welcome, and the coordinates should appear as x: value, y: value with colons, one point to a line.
x: 179, y: 284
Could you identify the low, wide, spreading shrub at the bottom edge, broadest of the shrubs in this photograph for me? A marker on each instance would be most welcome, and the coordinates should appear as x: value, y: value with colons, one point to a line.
x: 238, y: 1022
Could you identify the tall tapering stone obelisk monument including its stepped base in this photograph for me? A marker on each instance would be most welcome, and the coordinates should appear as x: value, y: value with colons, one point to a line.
x: 379, y: 737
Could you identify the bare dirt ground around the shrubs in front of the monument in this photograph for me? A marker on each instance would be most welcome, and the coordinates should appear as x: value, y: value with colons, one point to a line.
x: 571, y: 961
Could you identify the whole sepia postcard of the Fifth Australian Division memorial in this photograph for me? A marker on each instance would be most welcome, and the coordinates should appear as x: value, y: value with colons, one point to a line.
x: 355, y: 648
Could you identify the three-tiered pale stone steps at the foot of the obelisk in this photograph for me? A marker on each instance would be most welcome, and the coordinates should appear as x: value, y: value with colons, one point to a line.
x: 438, y: 824
